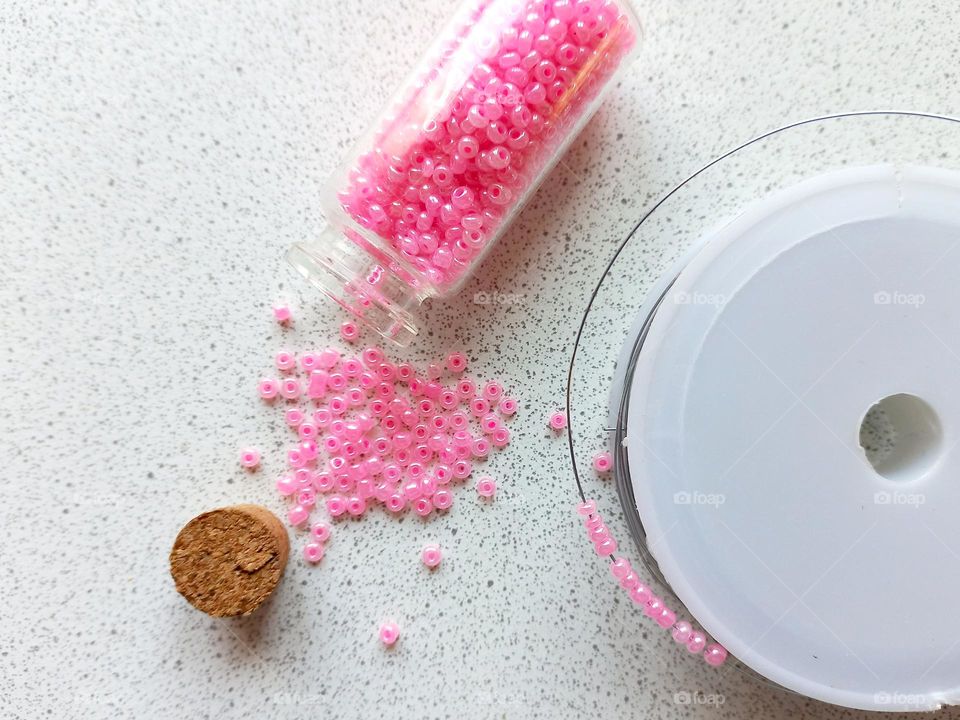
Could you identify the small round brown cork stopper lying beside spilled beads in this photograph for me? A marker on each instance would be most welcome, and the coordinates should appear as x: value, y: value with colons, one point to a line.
x: 226, y: 562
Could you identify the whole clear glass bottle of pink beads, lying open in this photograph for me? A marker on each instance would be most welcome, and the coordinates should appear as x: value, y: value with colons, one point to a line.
x: 463, y: 144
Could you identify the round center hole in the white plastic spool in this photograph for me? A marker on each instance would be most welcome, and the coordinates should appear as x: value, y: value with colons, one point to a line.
x: 901, y: 437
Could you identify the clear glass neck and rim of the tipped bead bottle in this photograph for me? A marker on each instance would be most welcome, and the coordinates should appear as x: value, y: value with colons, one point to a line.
x: 372, y: 286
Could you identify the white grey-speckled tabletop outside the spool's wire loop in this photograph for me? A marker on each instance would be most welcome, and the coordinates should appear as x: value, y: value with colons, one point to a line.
x: 156, y: 159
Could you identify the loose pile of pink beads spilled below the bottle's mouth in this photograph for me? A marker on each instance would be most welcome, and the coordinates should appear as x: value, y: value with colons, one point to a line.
x: 373, y: 431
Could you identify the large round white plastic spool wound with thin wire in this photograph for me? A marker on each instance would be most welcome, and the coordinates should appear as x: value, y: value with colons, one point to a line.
x: 789, y: 323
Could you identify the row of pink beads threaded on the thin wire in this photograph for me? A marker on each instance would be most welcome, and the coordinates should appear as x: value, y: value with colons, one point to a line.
x: 653, y: 607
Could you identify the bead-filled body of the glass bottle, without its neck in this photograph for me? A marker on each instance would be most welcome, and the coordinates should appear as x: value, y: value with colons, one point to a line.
x: 490, y: 111
